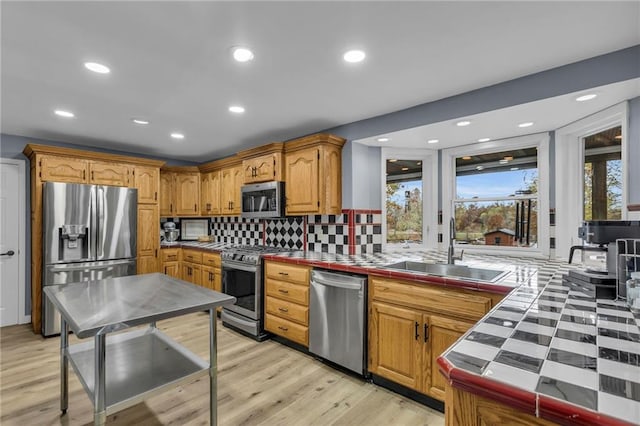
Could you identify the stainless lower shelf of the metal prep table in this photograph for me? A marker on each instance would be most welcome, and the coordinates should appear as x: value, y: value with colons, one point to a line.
x: 139, y: 364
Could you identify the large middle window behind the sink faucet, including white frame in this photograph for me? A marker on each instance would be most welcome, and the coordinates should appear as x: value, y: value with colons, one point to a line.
x: 498, y: 191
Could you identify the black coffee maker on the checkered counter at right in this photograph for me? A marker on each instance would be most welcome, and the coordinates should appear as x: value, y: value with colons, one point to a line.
x: 605, y: 238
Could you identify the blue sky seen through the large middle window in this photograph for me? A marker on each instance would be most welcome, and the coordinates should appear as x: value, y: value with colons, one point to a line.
x: 499, y: 184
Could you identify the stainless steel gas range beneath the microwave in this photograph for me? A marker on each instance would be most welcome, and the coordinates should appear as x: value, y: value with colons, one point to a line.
x: 242, y: 274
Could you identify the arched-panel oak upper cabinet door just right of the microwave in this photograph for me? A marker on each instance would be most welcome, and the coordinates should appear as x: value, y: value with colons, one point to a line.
x: 301, y: 169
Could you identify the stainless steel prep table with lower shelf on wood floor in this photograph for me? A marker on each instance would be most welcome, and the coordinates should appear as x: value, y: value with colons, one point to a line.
x: 134, y: 365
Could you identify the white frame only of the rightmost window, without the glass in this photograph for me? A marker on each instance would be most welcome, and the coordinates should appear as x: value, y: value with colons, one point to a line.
x: 569, y: 152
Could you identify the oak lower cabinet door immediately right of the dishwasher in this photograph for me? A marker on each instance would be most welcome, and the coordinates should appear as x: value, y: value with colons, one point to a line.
x: 396, y: 344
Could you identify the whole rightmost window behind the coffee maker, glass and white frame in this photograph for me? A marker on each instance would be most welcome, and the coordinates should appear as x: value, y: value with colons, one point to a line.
x: 591, y: 160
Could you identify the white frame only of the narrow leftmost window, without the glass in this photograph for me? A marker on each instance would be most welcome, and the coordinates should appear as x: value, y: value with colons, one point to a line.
x: 429, y: 160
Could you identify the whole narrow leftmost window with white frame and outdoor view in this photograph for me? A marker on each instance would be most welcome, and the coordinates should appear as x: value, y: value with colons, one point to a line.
x: 409, y: 193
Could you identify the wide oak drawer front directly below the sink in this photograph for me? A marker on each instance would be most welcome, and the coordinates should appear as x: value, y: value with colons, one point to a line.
x: 447, y: 301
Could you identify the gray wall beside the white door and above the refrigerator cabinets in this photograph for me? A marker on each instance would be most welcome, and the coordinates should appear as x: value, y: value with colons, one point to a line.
x: 11, y: 146
